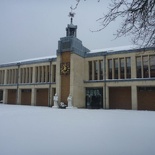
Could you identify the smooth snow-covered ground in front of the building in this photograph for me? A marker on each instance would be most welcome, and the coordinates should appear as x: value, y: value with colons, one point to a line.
x: 27, y: 130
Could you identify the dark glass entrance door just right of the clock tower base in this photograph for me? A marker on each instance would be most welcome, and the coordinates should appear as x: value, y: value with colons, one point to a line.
x: 94, y: 98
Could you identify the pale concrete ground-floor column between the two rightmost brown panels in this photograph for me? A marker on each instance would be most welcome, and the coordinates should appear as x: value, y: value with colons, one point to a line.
x: 134, y: 97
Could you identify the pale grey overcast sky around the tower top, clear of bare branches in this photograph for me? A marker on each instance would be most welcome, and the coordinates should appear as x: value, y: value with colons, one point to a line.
x: 32, y: 28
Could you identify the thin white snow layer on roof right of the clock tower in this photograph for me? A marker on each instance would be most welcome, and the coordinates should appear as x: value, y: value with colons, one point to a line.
x: 114, y: 49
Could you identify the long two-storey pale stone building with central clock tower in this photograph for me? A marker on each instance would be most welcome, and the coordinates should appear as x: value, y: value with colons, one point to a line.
x: 120, y: 78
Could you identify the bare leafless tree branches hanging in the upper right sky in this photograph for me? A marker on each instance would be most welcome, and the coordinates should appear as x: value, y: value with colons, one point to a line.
x: 138, y: 19
